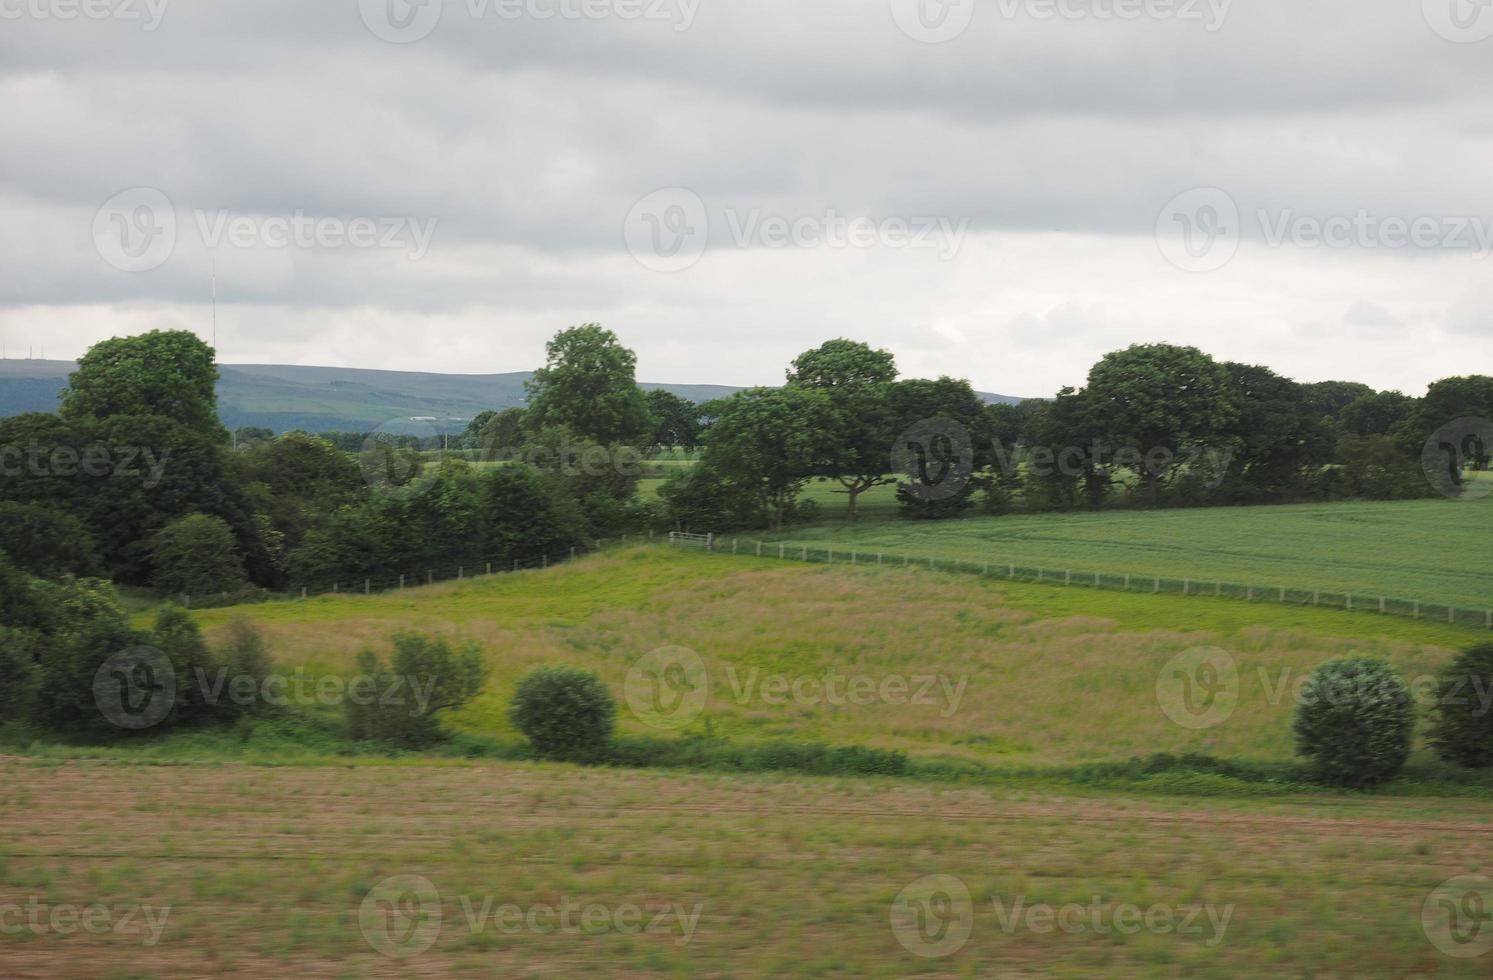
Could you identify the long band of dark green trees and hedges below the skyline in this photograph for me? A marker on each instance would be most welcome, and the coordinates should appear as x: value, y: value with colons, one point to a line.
x: 137, y: 480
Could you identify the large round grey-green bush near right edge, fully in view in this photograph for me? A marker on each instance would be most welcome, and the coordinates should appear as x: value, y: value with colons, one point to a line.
x: 1355, y: 722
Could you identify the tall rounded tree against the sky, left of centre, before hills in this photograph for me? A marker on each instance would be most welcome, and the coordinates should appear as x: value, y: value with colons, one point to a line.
x: 589, y: 385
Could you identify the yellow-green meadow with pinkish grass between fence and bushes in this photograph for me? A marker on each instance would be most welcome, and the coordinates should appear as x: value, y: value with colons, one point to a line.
x: 1020, y: 674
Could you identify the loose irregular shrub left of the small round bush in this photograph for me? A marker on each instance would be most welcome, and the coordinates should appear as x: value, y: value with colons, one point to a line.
x: 399, y: 703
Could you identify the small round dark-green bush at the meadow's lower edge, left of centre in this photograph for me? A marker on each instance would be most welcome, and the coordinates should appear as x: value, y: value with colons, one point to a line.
x: 565, y: 712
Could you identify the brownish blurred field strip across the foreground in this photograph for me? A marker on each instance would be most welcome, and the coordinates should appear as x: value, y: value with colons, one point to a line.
x: 431, y: 872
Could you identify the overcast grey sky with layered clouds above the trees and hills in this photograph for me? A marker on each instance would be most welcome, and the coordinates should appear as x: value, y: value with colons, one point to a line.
x: 1001, y: 190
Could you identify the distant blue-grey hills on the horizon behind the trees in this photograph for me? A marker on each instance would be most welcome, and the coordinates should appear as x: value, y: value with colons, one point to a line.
x: 328, y: 400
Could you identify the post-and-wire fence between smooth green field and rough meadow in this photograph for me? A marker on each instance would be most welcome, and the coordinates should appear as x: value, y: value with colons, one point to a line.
x: 1156, y: 585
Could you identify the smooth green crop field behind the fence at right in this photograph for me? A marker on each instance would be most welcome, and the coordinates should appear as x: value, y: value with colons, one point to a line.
x: 1430, y: 551
